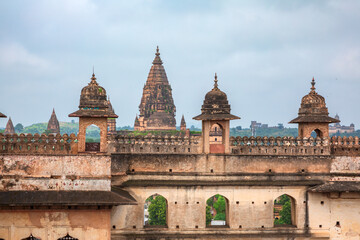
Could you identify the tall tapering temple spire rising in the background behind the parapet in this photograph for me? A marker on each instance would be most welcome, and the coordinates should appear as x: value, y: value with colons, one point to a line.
x: 157, y: 109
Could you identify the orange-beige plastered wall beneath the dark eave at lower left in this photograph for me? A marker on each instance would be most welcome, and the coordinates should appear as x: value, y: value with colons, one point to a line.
x: 53, y: 224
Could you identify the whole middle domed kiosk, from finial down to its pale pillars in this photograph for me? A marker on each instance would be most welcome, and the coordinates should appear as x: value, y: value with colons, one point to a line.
x: 215, y: 116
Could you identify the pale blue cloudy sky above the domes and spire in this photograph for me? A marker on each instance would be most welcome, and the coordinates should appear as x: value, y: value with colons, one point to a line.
x: 265, y: 54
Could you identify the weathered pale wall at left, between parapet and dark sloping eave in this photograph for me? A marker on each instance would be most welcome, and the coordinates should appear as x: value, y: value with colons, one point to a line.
x: 36, y: 172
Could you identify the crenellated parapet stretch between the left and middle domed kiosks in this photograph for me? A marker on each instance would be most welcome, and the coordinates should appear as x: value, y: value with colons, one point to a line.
x: 154, y: 144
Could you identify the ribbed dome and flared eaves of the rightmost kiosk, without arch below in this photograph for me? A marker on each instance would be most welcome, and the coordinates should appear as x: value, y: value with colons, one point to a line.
x: 313, y: 108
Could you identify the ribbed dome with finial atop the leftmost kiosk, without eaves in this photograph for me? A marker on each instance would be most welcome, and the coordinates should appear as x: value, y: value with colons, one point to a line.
x: 93, y: 95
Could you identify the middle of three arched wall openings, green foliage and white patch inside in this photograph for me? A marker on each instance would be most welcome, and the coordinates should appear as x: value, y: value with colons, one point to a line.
x: 217, y: 208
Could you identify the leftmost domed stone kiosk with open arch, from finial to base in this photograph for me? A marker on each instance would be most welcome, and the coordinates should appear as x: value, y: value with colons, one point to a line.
x: 93, y: 109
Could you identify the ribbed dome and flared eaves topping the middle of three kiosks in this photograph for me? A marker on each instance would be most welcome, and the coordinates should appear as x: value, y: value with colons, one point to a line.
x: 216, y: 105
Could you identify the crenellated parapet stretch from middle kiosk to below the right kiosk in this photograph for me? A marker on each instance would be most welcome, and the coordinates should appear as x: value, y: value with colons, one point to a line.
x: 279, y: 146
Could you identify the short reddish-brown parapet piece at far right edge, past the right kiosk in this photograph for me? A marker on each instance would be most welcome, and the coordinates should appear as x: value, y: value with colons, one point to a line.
x: 345, y: 146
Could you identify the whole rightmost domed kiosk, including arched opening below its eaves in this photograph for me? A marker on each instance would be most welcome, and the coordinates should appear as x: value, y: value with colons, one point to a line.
x: 313, y: 115
